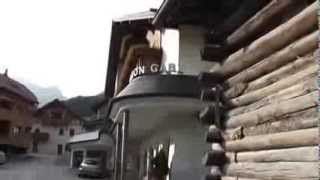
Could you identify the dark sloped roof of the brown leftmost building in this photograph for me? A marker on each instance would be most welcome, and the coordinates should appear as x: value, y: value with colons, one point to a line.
x: 17, y: 88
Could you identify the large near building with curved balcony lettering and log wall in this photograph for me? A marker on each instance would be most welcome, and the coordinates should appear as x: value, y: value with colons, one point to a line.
x: 215, y: 90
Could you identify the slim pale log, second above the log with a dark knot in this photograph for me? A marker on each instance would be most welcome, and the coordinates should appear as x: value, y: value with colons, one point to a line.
x: 300, y: 89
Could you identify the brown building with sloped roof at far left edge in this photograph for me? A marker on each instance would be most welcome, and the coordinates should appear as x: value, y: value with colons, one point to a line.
x: 17, y: 105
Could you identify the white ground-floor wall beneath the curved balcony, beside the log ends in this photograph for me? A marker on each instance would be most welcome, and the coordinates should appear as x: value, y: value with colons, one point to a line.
x: 190, y: 147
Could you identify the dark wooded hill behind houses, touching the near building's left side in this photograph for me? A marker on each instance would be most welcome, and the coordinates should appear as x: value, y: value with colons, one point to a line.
x: 83, y: 105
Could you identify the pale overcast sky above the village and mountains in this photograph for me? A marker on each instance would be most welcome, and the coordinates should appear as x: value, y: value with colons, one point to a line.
x: 61, y: 43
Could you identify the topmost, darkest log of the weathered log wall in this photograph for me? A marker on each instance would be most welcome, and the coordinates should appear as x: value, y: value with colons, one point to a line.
x: 259, y: 21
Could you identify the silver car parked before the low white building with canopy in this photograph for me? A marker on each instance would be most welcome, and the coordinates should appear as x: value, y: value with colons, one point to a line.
x: 92, y: 167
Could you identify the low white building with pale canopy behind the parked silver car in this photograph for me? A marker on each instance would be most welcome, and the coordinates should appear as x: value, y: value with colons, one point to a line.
x: 94, y: 142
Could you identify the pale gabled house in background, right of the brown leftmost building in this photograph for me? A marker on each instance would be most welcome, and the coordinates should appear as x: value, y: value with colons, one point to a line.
x: 55, y: 124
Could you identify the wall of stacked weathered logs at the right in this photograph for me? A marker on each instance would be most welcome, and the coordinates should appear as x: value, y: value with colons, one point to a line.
x: 271, y: 95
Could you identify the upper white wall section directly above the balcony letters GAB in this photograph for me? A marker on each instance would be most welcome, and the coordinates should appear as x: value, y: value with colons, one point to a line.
x: 182, y: 47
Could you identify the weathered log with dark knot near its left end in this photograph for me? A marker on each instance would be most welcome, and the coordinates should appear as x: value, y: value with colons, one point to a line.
x: 294, y: 121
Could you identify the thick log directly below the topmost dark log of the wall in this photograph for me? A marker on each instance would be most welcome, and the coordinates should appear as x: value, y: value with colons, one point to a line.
x: 283, y: 35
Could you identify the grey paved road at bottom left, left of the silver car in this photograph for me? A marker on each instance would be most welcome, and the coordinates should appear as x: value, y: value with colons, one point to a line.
x: 37, y: 167
